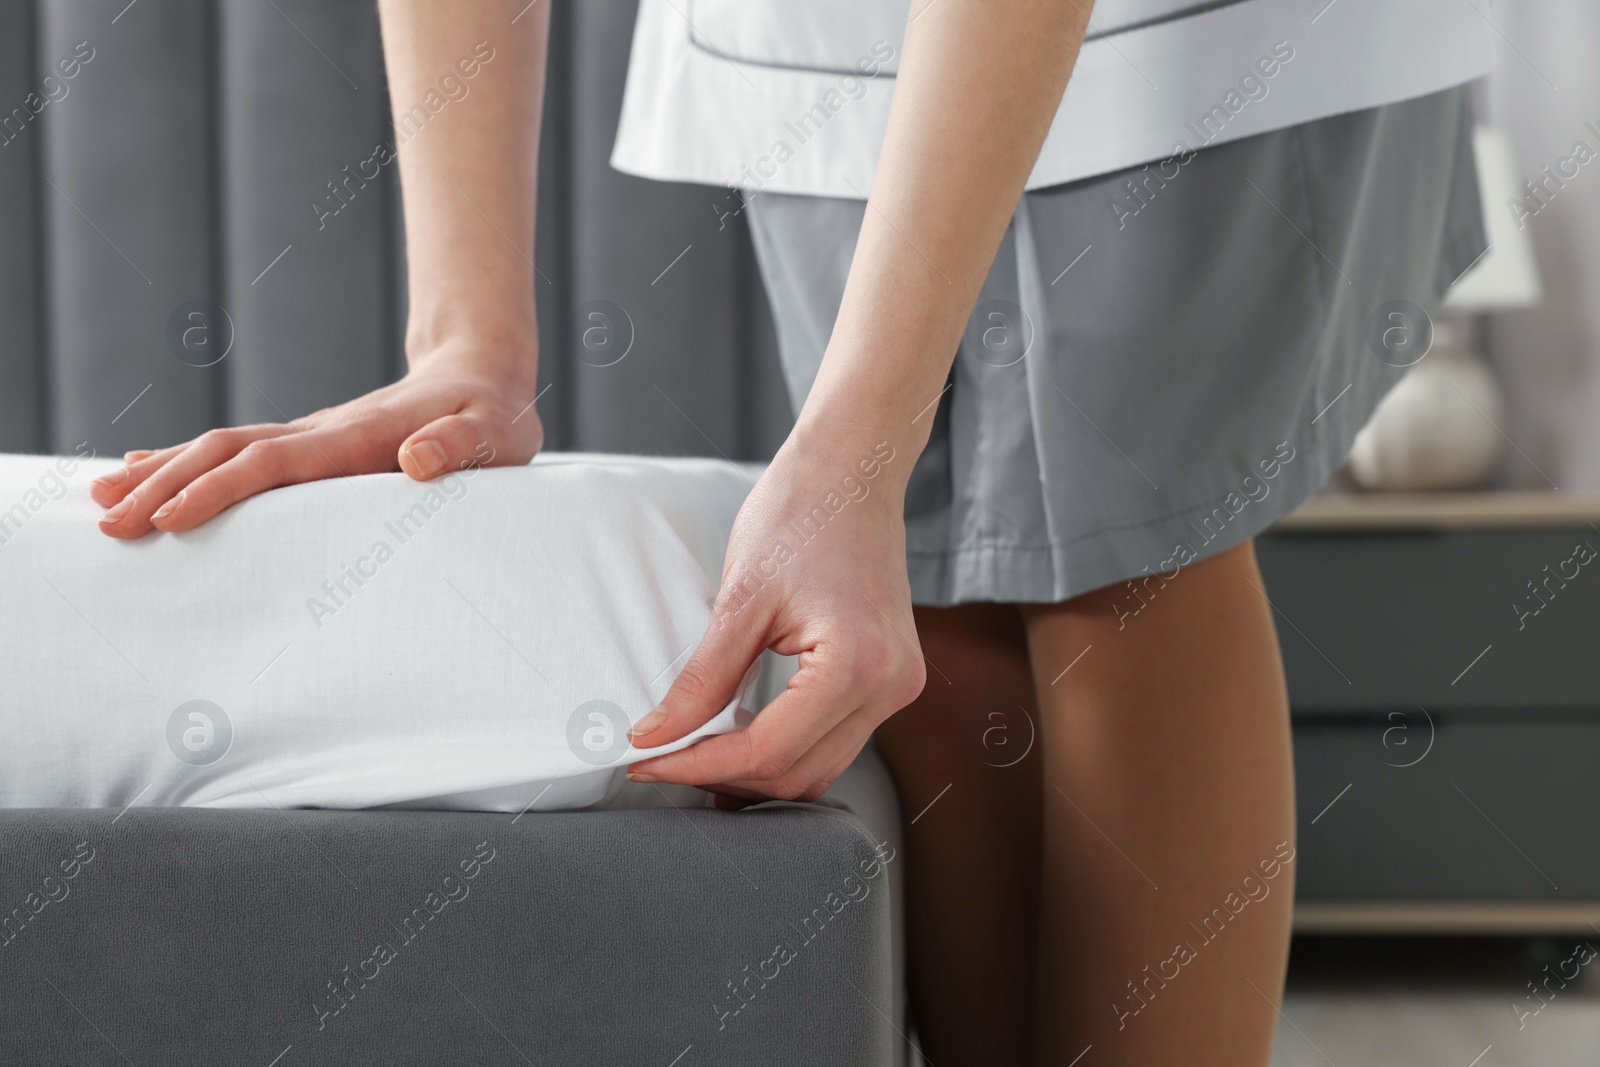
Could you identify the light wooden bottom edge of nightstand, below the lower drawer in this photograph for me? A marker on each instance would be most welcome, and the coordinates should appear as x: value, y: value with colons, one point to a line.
x: 1447, y: 917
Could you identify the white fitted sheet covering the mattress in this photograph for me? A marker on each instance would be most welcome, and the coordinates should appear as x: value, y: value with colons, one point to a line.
x: 481, y: 642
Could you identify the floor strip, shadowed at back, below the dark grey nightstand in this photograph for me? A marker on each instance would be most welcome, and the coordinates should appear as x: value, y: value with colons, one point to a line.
x: 1441, y: 1004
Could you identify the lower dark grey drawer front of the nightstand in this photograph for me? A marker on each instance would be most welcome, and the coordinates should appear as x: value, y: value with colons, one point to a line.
x: 1473, y: 805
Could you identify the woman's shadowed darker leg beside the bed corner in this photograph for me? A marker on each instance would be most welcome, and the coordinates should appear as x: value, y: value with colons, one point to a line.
x: 974, y: 855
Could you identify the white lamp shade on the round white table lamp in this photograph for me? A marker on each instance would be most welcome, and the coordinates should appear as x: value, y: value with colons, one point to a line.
x: 1506, y: 276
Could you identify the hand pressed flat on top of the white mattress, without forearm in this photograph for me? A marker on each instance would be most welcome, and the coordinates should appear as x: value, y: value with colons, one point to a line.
x: 450, y: 412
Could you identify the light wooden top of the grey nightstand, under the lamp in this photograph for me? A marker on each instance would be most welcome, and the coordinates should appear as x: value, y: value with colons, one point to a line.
x: 1442, y: 511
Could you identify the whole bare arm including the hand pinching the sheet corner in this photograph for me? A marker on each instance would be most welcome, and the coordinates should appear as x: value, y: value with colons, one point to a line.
x: 975, y: 97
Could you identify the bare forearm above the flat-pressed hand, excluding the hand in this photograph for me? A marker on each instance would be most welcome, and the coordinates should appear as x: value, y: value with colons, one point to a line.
x: 470, y: 172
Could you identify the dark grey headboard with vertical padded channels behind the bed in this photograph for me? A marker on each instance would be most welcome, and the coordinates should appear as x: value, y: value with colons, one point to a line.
x: 174, y: 174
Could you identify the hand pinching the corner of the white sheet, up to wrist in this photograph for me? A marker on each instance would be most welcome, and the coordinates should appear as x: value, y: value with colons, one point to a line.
x: 815, y: 569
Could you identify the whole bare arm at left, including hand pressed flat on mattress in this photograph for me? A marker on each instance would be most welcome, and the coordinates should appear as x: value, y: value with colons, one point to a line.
x: 470, y: 185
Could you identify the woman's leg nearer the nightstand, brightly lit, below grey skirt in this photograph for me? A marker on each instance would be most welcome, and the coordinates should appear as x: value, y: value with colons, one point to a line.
x: 1169, y: 793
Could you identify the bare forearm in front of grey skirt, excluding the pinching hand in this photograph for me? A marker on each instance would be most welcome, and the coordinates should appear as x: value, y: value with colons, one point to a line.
x: 975, y: 97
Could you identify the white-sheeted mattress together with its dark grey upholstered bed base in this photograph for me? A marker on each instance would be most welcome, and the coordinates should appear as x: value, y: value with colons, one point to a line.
x: 180, y: 885
